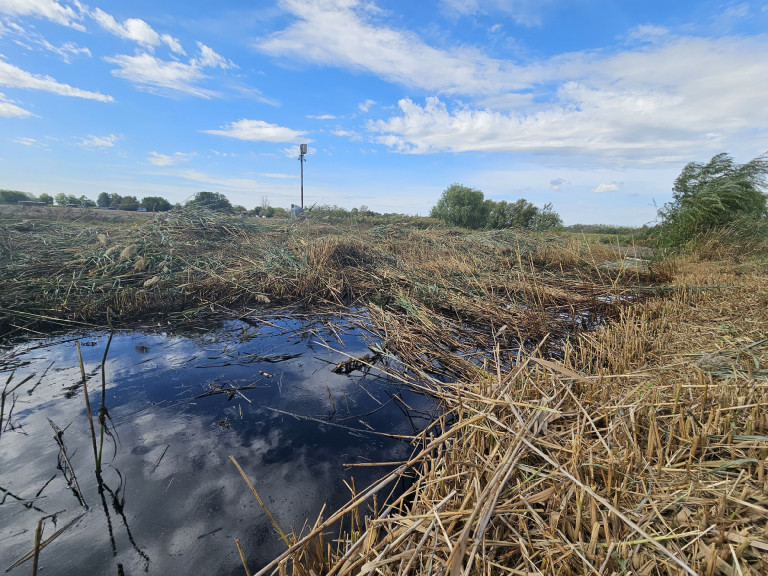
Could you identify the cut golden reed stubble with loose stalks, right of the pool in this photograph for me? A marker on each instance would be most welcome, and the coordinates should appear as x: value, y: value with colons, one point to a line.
x: 642, y: 450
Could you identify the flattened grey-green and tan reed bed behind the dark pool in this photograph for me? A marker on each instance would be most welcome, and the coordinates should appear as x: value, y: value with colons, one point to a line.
x: 71, y: 273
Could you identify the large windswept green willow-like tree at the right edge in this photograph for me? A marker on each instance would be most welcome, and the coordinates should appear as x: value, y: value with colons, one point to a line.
x: 706, y: 196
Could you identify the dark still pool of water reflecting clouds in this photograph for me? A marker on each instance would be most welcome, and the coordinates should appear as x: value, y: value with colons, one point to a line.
x: 173, y: 501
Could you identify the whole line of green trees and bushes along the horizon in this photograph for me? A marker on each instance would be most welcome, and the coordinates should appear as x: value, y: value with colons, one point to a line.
x: 705, y: 196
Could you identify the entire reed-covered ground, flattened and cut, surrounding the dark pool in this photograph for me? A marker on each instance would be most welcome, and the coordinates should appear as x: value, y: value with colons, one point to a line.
x: 604, y: 413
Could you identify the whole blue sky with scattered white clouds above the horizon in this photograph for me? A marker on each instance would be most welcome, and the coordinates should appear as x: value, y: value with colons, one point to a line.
x: 593, y: 105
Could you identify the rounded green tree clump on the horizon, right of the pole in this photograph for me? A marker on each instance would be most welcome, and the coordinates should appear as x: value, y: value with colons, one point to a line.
x: 467, y: 207
